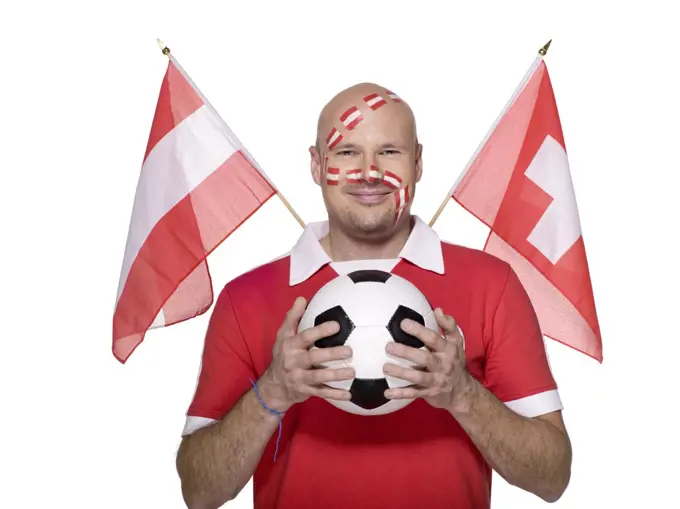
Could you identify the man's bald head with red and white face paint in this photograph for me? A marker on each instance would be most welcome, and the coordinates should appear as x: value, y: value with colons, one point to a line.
x: 367, y: 160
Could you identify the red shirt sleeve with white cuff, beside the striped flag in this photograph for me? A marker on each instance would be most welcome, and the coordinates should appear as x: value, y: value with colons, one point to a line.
x: 226, y: 368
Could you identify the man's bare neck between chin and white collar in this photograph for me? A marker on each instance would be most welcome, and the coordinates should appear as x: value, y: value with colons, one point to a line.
x: 342, y: 247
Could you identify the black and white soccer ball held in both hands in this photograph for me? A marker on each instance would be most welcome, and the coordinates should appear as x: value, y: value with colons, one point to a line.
x: 369, y: 305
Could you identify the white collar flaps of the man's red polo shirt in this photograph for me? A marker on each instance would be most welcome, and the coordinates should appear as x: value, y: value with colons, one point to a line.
x: 423, y: 248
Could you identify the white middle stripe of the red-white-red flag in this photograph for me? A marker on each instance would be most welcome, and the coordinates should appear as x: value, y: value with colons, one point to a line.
x: 204, y: 149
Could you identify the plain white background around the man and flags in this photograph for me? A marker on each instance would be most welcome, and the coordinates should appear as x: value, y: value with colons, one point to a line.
x: 79, y: 87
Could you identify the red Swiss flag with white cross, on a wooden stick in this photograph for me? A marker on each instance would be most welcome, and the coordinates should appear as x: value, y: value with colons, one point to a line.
x: 519, y: 184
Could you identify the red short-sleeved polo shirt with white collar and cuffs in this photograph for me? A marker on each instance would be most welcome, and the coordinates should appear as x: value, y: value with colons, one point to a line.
x: 417, y: 457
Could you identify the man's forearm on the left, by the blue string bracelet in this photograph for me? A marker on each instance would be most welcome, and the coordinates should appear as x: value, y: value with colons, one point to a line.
x: 216, y: 462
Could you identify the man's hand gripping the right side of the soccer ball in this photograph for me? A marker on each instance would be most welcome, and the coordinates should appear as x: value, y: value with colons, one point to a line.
x: 440, y: 376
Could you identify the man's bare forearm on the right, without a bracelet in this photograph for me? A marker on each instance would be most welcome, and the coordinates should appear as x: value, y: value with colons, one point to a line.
x: 532, y: 454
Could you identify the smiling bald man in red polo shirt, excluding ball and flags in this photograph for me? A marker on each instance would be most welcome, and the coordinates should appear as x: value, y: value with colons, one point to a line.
x: 485, y: 400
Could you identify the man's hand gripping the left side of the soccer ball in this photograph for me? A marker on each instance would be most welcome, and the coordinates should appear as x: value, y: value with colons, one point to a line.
x: 291, y: 377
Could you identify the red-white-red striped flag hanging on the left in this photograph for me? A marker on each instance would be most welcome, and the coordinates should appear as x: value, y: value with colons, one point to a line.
x: 197, y: 185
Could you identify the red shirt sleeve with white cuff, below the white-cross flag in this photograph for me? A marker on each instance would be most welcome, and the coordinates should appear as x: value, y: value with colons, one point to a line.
x: 517, y: 368
